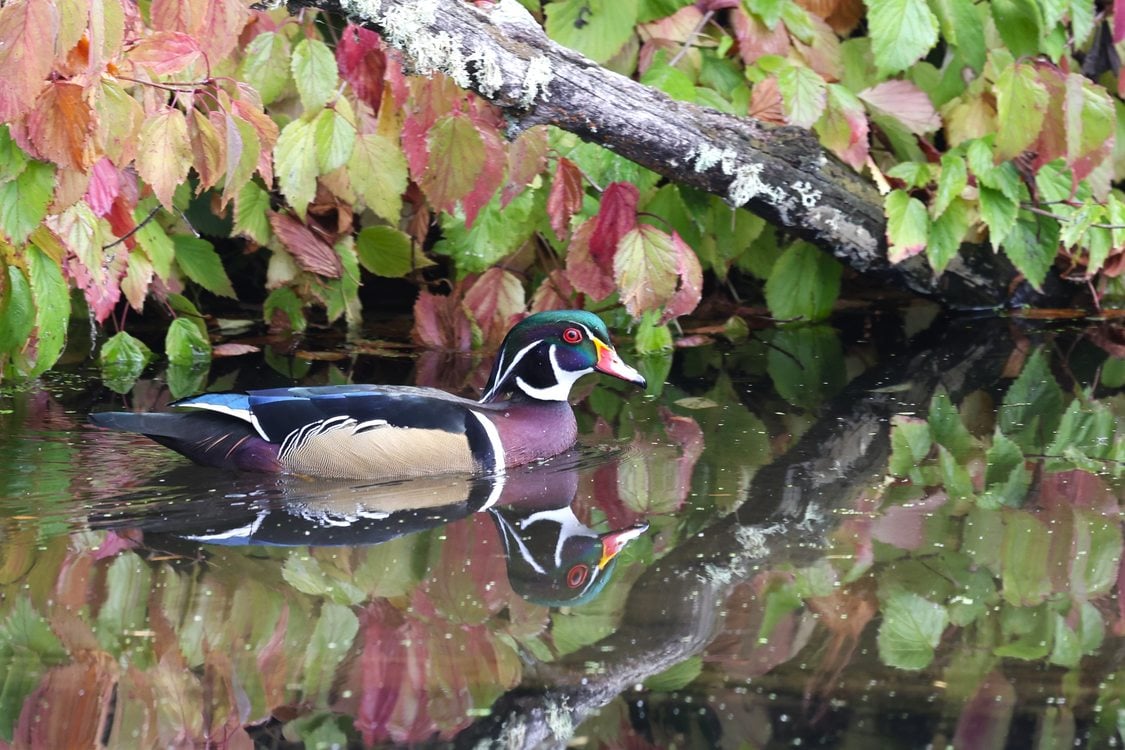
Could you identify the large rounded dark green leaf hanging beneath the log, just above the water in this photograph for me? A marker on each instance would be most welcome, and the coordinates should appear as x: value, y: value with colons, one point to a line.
x: 804, y: 284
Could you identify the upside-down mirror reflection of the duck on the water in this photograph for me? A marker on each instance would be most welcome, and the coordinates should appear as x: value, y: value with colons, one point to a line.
x: 552, y: 557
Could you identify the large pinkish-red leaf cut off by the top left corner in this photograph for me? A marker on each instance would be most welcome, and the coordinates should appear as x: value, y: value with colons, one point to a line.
x: 28, y: 41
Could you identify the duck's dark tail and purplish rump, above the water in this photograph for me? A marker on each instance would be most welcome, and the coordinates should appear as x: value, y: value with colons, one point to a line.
x: 211, y: 439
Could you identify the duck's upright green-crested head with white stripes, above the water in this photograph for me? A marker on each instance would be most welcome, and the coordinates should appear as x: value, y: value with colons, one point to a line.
x: 545, y: 355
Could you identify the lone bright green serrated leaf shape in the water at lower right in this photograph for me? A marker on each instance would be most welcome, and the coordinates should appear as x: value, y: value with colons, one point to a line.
x: 911, y: 630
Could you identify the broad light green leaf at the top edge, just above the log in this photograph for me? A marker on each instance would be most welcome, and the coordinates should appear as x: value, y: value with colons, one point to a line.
x: 597, y: 29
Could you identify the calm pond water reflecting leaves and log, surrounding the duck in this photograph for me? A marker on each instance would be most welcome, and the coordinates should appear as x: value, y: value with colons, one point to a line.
x: 871, y: 536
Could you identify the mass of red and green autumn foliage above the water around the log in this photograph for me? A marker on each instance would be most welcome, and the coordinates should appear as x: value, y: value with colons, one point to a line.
x: 150, y: 150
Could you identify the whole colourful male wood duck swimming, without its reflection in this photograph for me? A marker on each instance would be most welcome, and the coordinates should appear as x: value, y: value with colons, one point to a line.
x: 393, y: 432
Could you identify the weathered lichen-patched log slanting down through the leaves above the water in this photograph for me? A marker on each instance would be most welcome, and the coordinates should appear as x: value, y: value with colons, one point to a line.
x: 780, y: 174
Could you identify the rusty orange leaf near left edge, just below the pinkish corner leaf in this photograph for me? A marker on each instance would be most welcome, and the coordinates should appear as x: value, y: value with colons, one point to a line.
x: 61, y: 125
